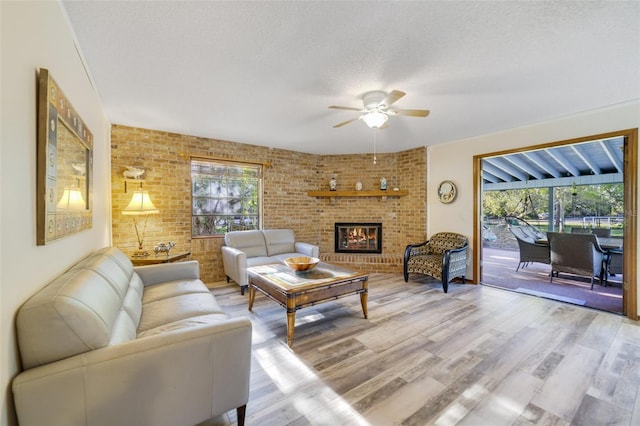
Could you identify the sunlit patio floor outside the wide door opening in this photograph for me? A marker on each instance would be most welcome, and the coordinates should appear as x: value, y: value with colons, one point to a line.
x: 499, y: 270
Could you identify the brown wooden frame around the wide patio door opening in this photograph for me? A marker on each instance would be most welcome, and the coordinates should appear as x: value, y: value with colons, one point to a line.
x: 630, y: 238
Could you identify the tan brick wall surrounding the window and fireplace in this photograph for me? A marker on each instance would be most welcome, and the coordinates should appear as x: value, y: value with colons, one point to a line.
x: 165, y: 157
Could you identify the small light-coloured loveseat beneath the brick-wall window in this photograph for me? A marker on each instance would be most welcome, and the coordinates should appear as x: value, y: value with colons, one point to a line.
x: 244, y: 249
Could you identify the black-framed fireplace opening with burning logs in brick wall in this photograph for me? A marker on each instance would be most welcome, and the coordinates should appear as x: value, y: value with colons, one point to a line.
x: 358, y: 238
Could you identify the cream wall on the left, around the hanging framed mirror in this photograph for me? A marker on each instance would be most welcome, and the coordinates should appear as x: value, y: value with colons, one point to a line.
x: 37, y: 35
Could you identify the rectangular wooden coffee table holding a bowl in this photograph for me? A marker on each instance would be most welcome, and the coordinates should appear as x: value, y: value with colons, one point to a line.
x: 296, y: 290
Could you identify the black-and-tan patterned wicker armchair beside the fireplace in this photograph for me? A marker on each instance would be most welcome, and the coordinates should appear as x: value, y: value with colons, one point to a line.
x: 443, y: 257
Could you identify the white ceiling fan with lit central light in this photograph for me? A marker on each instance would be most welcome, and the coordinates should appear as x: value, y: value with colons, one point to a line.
x: 376, y: 110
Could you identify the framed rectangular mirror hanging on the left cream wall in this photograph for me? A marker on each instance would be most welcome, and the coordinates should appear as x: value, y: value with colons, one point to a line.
x: 64, y: 178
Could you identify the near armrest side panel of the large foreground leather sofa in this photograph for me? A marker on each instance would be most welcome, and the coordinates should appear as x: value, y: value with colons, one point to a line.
x: 179, y: 377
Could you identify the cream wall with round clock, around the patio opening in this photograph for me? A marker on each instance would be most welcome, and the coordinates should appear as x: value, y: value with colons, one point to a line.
x: 454, y: 161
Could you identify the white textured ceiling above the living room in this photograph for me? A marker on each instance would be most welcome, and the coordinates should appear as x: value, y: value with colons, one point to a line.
x: 264, y: 73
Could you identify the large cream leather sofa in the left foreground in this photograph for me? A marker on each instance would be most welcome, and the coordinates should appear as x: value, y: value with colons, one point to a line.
x: 109, y: 344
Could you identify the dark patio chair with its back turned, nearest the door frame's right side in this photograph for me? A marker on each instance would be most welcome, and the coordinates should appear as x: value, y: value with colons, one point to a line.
x: 578, y: 254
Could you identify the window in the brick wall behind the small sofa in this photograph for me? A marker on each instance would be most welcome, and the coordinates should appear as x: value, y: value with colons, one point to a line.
x: 224, y: 197
